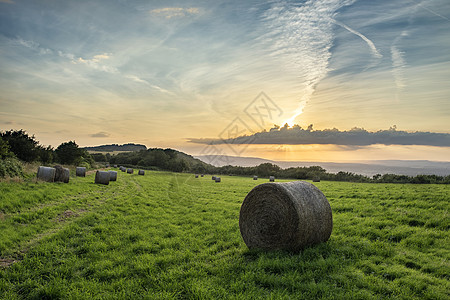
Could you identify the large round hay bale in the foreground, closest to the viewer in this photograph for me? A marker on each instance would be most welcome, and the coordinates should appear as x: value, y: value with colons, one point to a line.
x: 285, y: 216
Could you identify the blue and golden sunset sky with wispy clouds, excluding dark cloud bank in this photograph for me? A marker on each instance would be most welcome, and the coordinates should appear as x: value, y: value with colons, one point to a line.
x: 166, y: 73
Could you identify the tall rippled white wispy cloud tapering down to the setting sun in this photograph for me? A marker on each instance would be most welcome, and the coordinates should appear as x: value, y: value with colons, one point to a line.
x: 302, y: 36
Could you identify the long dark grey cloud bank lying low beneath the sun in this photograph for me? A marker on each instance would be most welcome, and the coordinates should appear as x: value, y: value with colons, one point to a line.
x: 353, y: 137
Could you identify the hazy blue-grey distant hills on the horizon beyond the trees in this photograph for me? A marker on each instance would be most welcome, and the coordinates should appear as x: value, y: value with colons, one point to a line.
x: 366, y: 168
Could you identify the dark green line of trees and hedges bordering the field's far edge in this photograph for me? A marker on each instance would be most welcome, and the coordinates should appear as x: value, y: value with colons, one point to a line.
x: 18, y: 145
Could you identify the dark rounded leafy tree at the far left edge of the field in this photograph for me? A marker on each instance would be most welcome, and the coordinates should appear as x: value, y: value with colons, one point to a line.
x: 25, y: 147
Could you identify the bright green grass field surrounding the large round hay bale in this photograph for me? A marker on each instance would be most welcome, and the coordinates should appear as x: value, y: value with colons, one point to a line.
x: 171, y: 236
